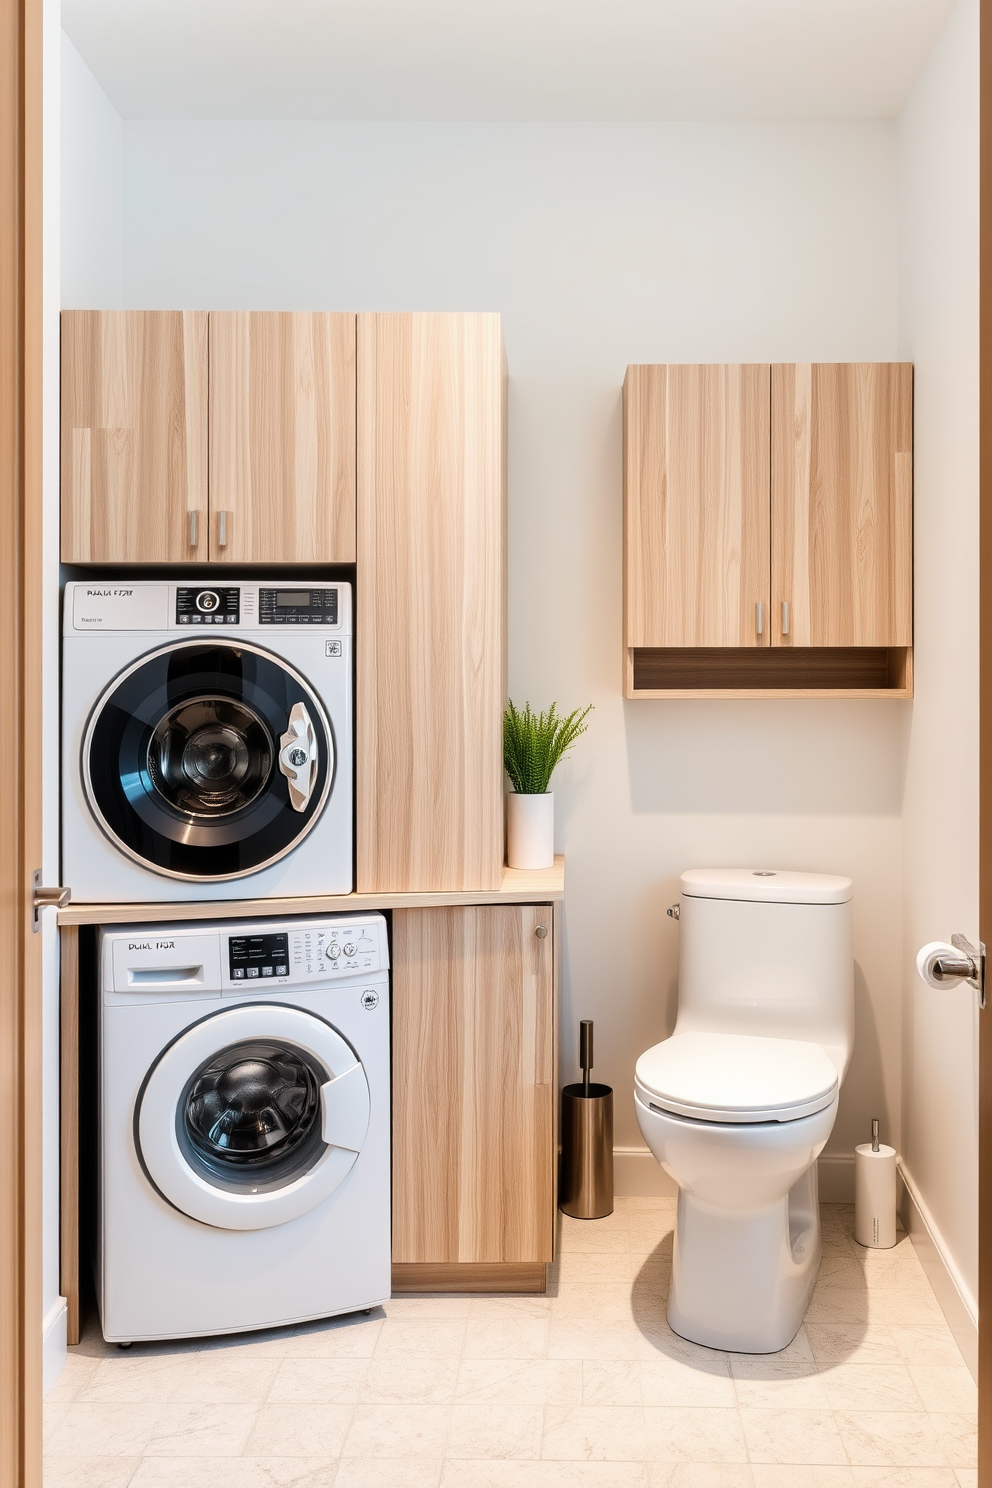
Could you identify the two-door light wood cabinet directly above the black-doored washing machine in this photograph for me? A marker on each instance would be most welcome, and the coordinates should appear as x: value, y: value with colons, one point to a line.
x: 146, y: 395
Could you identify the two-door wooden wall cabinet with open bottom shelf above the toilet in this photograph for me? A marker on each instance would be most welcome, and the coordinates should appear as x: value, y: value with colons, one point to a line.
x: 768, y: 530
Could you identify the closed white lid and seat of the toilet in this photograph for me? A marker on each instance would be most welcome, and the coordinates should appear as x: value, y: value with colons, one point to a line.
x: 737, y: 1078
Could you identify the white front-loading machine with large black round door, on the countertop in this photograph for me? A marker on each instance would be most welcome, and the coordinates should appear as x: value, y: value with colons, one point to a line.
x: 207, y: 740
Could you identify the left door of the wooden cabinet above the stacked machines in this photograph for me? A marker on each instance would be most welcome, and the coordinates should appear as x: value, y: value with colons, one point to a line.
x: 135, y: 437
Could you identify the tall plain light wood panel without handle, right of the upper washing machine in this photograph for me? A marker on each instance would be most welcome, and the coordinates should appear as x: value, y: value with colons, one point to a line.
x: 431, y: 632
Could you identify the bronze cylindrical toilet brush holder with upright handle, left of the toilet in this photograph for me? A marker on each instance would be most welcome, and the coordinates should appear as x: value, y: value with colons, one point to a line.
x: 585, y: 1184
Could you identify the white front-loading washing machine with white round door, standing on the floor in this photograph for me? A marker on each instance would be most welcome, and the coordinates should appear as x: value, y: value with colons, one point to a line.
x: 245, y: 1126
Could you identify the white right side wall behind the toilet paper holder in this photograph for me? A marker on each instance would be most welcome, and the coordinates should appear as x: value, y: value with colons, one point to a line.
x: 939, y: 331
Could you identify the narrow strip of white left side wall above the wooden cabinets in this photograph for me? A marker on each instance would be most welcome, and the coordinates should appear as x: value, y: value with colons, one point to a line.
x: 91, y: 202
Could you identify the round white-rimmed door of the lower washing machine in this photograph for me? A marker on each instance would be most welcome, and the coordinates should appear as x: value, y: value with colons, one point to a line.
x: 252, y: 1117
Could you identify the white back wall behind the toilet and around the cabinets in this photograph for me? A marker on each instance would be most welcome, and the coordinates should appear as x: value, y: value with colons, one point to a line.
x: 602, y: 246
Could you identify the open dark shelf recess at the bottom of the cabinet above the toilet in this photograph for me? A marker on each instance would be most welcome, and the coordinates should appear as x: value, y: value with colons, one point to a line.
x: 837, y: 670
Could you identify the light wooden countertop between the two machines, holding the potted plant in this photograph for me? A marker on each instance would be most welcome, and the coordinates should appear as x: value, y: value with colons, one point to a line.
x: 518, y: 888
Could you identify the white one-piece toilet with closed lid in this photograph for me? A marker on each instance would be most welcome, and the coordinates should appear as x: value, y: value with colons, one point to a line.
x: 738, y: 1105
